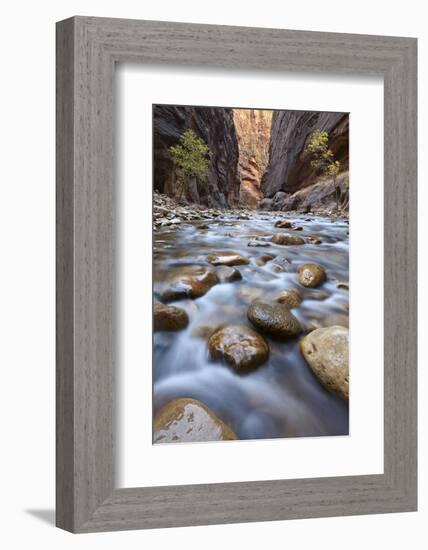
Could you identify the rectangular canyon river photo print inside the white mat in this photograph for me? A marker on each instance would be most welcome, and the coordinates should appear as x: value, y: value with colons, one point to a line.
x: 250, y: 274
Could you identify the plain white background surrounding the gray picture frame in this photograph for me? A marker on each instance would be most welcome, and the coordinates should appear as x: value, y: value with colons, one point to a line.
x: 27, y: 272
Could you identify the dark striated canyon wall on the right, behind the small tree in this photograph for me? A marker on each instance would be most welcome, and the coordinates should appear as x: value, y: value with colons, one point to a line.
x: 289, y: 168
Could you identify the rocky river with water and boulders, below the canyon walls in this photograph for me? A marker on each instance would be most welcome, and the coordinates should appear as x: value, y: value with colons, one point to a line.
x: 251, y: 324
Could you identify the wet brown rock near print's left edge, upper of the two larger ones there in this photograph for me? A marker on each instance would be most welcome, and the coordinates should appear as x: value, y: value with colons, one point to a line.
x: 187, y: 282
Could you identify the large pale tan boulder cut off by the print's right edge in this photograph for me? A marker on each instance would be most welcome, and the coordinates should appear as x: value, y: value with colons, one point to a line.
x: 326, y: 352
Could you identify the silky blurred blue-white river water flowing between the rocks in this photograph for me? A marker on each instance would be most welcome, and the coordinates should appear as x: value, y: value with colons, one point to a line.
x: 282, y: 398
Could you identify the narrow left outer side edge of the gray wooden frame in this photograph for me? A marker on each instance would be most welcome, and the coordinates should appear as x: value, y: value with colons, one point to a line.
x: 64, y: 276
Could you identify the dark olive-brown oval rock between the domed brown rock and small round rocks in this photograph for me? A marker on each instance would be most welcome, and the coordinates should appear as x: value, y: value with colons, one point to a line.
x: 276, y: 319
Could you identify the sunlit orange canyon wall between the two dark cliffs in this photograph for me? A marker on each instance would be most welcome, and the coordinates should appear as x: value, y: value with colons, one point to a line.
x: 253, y: 128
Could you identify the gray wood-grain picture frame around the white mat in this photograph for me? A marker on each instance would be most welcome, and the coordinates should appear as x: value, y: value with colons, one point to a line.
x: 87, y: 50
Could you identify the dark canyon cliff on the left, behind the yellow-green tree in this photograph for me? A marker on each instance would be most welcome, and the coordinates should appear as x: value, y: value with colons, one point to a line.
x: 216, y: 127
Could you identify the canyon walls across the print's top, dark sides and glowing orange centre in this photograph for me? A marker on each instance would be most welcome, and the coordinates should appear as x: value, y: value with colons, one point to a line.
x: 257, y: 157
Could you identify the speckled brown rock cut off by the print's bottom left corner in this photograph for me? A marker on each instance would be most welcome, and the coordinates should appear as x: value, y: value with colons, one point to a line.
x: 186, y: 420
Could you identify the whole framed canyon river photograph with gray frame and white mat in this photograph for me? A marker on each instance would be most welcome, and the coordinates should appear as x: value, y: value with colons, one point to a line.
x: 236, y: 274
